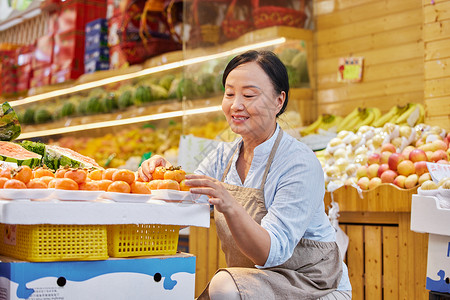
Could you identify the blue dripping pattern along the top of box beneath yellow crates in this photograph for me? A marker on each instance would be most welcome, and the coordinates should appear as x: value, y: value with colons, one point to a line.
x: 85, y: 270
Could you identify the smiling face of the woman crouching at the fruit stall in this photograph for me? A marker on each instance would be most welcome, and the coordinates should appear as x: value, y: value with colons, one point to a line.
x: 250, y: 103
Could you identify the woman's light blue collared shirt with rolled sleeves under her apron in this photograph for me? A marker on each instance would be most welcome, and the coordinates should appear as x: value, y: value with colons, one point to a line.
x: 293, y: 192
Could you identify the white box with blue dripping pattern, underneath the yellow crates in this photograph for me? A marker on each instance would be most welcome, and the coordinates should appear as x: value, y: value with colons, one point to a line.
x: 155, y: 277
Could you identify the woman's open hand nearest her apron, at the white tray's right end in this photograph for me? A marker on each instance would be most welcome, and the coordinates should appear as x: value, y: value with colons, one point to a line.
x: 214, y: 189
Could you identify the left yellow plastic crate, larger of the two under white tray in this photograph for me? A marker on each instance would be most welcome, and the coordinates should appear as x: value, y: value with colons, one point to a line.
x: 45, y: 242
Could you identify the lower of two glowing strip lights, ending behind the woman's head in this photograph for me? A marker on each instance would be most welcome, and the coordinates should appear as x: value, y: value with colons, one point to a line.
x: 127, y: 121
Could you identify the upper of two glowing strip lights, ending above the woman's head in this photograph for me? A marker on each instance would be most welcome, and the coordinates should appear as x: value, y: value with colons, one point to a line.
x: 148, y: 71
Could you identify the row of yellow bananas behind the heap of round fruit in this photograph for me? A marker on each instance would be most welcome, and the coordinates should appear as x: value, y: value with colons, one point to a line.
x: 410, y: 114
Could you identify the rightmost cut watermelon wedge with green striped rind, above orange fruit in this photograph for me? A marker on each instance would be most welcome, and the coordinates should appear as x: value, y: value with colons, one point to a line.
x: 55, y: 157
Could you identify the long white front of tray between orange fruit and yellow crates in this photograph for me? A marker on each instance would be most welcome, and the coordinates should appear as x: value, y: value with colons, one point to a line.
x: 105, y: 212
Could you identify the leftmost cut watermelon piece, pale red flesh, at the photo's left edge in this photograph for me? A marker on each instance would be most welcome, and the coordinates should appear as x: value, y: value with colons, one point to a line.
x: 12, y: 152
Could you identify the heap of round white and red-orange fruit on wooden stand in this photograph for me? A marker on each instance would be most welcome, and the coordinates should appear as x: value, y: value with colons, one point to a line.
x: 393, y: 153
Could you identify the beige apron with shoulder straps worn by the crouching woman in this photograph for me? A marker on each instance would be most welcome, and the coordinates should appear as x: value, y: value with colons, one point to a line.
x: 313, y: 270
